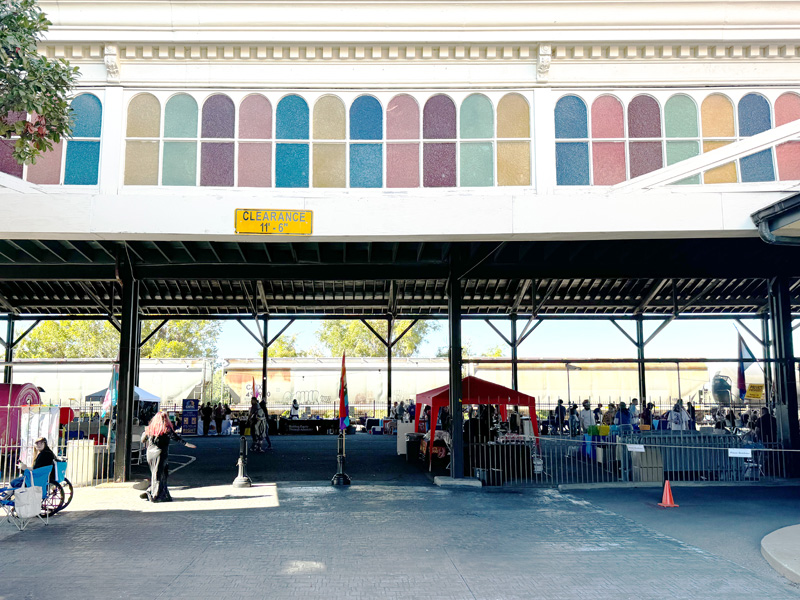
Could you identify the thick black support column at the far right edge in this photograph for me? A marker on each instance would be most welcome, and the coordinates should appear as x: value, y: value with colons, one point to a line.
x: 780, y: 304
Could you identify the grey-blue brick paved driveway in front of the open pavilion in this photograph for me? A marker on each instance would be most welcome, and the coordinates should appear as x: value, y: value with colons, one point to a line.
x: 379, y: 539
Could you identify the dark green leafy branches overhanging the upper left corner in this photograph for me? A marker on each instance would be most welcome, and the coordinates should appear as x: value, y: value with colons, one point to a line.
x: 31, y: 84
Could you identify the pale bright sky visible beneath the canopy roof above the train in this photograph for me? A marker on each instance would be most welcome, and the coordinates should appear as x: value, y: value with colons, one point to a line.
x: 552, y: 339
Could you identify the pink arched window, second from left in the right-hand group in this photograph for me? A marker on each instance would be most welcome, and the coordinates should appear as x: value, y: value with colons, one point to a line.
x: 608, y: 157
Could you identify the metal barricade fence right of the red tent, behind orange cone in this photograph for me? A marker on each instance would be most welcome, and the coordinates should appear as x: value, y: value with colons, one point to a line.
x: 550, y: 461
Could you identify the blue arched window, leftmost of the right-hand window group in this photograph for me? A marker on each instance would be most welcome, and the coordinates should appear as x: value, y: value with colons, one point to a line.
x: 572, y: 157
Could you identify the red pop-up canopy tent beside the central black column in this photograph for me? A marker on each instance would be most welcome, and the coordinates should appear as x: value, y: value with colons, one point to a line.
x: 476, y: 391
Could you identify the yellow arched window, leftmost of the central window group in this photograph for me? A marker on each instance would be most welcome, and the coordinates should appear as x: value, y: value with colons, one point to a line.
x: 141, y: 155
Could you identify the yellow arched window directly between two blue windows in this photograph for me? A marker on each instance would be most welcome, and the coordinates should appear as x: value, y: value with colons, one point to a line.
x: 329, y: 159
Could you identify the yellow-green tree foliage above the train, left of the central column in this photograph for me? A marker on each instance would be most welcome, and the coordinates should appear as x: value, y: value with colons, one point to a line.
x: 357, y: 340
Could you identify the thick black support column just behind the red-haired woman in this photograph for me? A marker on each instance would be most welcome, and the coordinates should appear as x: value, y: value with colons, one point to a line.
x: 128, y: 356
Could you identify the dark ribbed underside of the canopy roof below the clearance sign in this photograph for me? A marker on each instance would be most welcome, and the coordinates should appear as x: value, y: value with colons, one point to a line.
x: 195, y: 278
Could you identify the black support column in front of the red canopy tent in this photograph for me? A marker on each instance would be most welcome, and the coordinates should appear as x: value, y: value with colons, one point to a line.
x: 457, y: 427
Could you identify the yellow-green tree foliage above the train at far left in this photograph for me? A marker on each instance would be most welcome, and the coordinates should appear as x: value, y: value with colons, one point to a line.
x: 98, y: 339
